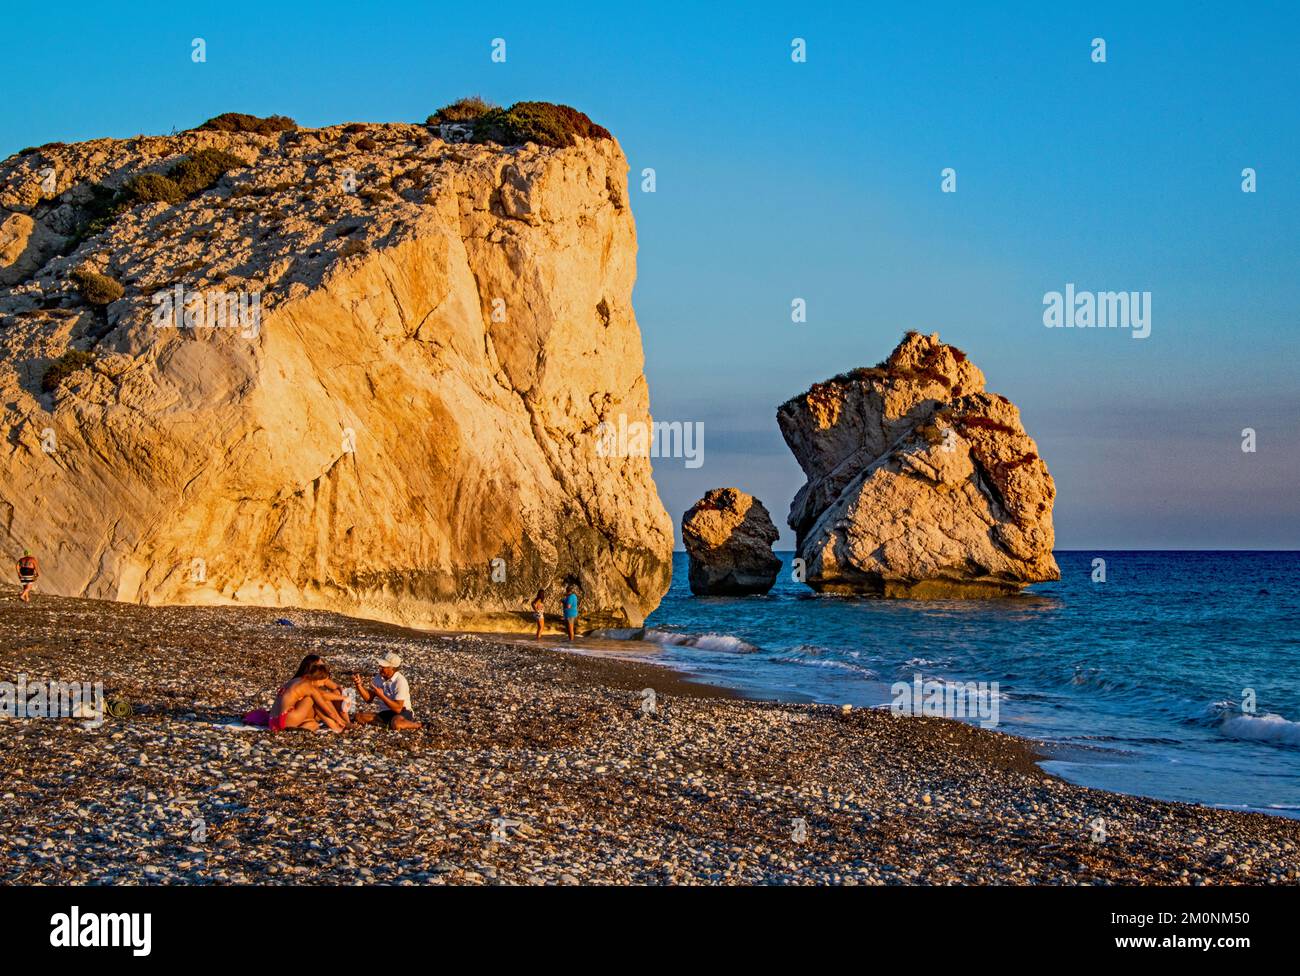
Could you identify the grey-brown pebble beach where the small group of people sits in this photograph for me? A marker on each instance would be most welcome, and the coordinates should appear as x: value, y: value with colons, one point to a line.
x: 534, y: 767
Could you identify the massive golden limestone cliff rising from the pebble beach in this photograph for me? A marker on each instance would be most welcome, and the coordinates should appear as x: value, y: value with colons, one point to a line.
x: 409, y: 431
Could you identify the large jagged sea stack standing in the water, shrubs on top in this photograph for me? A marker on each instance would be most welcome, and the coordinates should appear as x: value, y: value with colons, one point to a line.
x: 920, y: 483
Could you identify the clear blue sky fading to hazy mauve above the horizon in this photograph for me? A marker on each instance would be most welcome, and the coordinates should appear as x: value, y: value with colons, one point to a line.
x: 822, y: 181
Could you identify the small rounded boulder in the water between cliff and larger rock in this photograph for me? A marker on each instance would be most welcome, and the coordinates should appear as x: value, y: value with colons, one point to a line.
x: 729, y: 536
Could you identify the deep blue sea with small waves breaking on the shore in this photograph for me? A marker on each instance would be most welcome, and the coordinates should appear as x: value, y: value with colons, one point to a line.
x: 1136, y: 684
